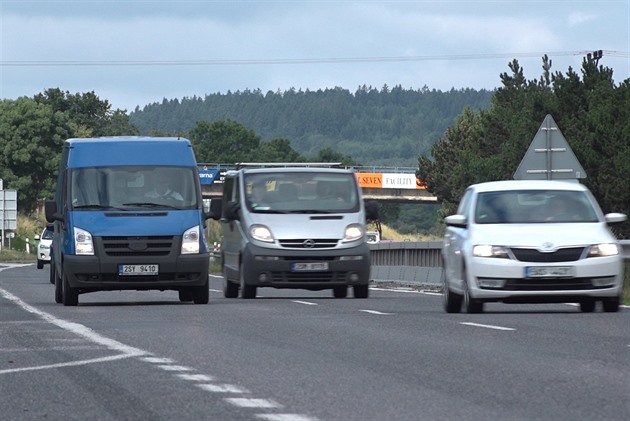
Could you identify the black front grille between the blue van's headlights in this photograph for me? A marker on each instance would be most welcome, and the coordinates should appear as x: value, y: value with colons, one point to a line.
x: 137, y: 246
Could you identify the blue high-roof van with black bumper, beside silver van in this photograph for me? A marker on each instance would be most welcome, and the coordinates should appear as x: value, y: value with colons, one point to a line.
x: 128, y: 215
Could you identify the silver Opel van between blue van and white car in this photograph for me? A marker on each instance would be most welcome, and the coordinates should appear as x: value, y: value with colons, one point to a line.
x: 293, y: 226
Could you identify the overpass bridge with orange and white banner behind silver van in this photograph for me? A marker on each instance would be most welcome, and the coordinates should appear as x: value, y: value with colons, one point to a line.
x: 387, y: 184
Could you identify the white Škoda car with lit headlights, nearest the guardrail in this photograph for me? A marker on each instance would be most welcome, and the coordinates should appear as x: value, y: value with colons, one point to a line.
x: 531, y: 241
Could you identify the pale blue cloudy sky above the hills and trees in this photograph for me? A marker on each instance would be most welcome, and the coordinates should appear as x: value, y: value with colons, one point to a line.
x: 137, y: 52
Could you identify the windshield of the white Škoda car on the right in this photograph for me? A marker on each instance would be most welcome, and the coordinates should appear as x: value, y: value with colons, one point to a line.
x: 534, y: 206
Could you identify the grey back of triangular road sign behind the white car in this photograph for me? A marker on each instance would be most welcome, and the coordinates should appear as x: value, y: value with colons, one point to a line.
x: 549, y: 156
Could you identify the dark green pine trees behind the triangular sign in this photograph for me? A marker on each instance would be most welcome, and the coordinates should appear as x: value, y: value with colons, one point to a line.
x: 592, y: 112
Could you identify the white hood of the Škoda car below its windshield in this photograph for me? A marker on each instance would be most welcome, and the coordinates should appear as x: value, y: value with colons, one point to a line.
x: 535, y: 235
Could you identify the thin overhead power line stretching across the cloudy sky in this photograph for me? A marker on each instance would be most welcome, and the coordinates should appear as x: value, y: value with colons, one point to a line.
x: 330, y: 60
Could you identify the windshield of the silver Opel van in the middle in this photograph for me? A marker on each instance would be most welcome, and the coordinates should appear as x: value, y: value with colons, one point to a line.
x: 301, y: 192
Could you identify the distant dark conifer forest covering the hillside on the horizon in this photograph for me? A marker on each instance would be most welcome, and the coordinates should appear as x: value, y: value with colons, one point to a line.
x: 386, y: 127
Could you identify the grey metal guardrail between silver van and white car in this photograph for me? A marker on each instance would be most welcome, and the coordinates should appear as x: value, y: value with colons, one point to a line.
x: 420, y: 262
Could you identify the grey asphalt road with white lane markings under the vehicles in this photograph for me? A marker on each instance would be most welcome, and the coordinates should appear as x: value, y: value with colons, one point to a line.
x: 295, y: 355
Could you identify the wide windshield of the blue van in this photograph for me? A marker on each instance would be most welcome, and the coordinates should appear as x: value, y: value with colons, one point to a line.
x: 133, y: 187
